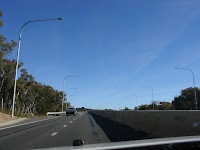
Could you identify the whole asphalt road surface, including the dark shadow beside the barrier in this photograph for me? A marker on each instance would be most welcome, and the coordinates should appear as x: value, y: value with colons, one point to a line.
x: 62, y: 131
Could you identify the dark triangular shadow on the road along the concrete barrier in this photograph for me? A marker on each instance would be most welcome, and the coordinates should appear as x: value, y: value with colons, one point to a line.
x: 117, y: 132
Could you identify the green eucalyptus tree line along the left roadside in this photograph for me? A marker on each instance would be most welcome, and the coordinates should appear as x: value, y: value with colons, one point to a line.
x: 32, y: 97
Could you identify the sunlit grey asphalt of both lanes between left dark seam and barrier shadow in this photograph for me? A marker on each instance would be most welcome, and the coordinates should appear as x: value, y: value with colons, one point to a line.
x: 55, y: 134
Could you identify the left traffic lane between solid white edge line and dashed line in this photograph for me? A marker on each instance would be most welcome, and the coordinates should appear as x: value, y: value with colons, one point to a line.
x: 22, y: 137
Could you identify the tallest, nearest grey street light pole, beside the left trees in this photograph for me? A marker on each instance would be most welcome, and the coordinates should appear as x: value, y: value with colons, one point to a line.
x: 20, y: 35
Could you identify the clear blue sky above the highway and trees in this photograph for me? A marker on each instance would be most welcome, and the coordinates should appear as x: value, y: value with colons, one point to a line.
x: 116, y: 46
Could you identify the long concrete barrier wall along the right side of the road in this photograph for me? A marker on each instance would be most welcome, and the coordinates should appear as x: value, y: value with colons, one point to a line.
x: 158, y: 123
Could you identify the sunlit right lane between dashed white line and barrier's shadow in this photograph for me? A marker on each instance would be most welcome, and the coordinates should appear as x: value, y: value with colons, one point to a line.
x: 79, y: 128
